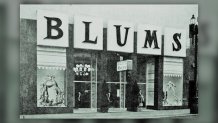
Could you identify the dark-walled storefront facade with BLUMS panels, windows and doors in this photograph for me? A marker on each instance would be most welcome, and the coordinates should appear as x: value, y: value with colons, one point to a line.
x: 67, y: 77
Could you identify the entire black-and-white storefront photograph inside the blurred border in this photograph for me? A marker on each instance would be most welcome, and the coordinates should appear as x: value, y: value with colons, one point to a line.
x: 99, y: 61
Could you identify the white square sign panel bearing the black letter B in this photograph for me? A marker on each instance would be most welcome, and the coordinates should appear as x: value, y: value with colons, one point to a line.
x: 52, y: 29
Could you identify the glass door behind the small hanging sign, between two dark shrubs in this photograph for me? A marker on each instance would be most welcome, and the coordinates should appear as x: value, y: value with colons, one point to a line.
x: 116, y: 82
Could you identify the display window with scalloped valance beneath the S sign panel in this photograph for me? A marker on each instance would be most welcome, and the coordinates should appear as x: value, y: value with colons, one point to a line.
x: 173, y: 82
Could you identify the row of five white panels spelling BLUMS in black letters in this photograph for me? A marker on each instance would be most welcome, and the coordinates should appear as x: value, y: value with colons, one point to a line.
x: 52, y: 30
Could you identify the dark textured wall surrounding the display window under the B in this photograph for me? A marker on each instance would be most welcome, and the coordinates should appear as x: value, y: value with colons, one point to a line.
x: 28, y: 72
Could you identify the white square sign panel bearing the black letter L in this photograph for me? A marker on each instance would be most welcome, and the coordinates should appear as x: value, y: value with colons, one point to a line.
x: 88, y: 33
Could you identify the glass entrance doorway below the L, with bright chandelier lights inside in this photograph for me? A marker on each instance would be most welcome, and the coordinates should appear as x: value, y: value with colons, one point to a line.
x: 85, y: 82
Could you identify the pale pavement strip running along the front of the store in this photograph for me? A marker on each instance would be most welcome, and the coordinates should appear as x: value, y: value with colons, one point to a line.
x: 145, y: 114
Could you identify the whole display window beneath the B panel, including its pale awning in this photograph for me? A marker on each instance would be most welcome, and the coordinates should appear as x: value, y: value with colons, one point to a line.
x: 51, y: 77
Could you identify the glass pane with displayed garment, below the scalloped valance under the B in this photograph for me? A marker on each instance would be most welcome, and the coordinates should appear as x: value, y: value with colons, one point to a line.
x: 51, y: 88
